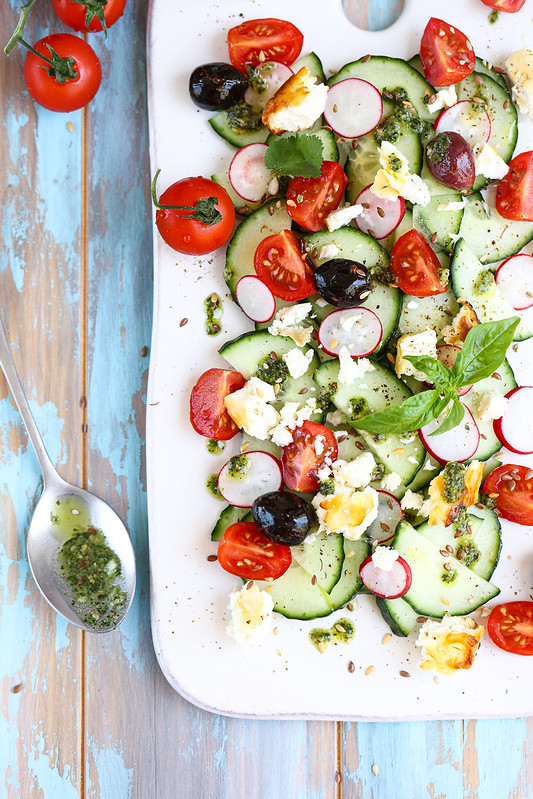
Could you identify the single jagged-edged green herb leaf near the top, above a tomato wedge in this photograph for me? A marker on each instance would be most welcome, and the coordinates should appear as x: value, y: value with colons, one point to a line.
x: 299, y: 156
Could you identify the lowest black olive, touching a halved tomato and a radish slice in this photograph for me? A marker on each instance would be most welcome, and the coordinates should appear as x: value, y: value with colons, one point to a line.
x: 283, y: 517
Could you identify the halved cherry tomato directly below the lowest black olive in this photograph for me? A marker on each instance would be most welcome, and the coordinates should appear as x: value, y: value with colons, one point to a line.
x: 247, y: 553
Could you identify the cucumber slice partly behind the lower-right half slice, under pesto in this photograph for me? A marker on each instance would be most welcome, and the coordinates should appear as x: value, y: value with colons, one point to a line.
x: 486, y: 537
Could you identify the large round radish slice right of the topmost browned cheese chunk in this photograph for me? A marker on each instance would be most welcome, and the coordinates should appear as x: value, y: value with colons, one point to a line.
x: 353, y: 107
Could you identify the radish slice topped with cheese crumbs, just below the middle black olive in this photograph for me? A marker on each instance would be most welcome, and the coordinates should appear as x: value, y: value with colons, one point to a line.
x: 358, y: 329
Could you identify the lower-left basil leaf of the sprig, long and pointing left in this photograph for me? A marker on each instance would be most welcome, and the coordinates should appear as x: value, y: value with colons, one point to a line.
x: 415, y: 412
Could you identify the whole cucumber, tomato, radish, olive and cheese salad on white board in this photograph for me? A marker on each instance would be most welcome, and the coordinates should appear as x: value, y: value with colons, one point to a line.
x: 374, y: 393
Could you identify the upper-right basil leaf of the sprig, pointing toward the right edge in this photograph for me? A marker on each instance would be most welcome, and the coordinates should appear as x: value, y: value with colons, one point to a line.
x: 483, y: 351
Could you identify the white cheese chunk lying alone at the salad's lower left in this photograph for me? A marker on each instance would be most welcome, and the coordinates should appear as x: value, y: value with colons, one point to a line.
x: 251, y: 615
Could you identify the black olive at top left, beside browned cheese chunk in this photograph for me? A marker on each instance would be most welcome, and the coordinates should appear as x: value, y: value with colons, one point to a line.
x: 217, y: 86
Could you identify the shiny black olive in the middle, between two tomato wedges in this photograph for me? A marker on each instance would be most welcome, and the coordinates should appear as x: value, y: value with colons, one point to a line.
x: 343, y: 283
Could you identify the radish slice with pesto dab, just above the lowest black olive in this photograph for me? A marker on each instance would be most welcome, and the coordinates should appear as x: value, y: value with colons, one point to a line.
x: 260, y: 475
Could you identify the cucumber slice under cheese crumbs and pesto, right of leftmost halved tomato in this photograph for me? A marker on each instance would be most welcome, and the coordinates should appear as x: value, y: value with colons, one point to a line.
x: 246, y: 352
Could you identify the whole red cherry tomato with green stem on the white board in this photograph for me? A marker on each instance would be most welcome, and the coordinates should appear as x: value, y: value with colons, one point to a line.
x: 189, y: 234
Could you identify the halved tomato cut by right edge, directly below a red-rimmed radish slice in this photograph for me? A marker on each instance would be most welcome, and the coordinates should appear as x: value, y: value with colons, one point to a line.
x: 513, y: 493
